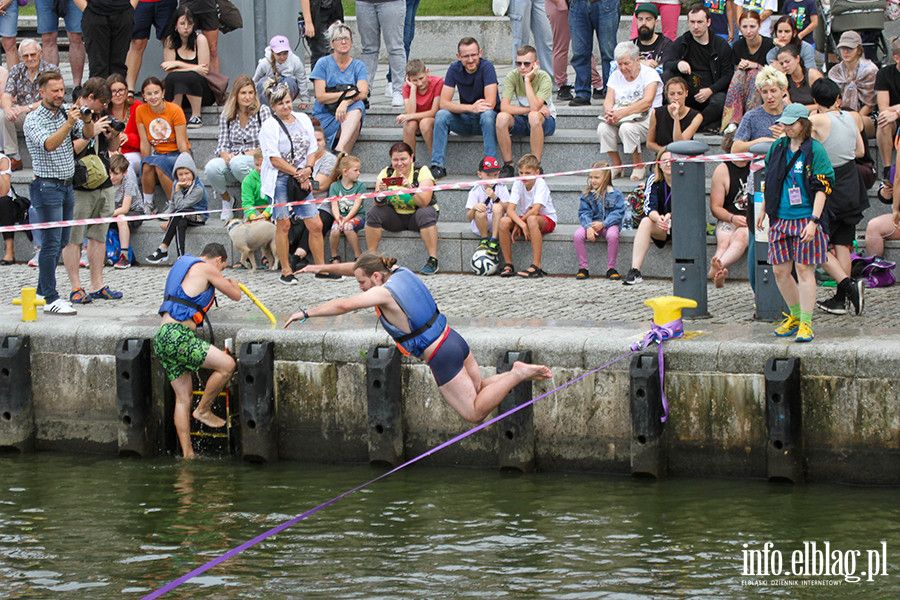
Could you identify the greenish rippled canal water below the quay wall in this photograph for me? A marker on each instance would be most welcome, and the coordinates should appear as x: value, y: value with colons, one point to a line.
x: 86, y: 527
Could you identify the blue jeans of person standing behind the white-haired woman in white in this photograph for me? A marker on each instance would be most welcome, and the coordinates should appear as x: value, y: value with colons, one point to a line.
x: 586, y: 19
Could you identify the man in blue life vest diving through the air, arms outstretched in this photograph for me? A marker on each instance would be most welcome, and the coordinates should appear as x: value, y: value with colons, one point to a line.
x: 410, y: 316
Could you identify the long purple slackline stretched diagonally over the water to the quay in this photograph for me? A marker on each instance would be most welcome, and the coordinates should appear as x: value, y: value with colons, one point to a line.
x: 235, y: 551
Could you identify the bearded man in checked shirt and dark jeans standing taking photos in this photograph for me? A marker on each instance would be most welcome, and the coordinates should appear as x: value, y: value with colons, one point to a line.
x: 50, y: 130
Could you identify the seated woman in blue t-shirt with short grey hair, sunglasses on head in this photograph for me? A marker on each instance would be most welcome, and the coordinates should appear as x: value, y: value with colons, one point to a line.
x: 340, y: 84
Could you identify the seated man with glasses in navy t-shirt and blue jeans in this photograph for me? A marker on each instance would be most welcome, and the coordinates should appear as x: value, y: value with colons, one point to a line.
x: 475, y: 112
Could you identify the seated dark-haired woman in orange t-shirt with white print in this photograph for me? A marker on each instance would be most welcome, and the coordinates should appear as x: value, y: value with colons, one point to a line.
x: 163, y: 132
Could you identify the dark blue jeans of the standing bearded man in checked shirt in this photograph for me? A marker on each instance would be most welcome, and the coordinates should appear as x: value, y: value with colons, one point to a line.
x: 52, y: 201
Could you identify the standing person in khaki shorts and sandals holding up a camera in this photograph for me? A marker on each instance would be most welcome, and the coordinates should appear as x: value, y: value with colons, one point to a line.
x: 94, y: 194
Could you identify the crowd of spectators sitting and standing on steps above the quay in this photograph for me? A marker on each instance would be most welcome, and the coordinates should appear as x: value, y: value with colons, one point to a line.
x: 745, y: 70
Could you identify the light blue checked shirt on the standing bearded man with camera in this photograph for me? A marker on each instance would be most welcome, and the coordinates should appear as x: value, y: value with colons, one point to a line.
x: 39, y: 125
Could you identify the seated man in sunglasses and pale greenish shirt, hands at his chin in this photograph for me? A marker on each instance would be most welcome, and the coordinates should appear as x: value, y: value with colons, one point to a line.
x: 525, y: 108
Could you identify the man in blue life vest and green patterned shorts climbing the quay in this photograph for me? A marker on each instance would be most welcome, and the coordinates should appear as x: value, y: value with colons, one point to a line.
x: 190, y: 291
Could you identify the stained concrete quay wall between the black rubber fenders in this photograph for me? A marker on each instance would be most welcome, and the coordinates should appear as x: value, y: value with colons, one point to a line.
x: 714, y: 384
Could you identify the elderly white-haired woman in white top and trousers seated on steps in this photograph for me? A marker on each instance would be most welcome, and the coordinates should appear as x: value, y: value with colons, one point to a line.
x: 633, y: 91
